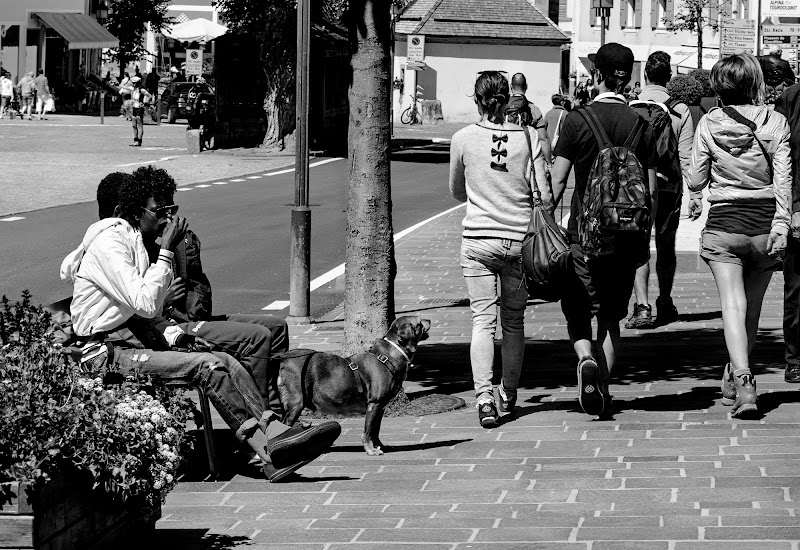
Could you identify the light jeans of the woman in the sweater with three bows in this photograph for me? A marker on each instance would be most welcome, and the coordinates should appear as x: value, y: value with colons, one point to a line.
x: 482, y: 261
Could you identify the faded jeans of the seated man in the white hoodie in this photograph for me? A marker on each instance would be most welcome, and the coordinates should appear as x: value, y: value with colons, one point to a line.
x: 226, y: 383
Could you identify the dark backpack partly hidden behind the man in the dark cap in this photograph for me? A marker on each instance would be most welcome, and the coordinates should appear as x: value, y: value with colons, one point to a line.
x: 665, y: 142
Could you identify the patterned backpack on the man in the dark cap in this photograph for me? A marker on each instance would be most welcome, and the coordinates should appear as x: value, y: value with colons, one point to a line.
x: 615, y: 208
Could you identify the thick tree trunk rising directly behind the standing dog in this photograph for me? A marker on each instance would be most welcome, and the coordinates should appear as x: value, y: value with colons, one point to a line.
x: 369, y: 256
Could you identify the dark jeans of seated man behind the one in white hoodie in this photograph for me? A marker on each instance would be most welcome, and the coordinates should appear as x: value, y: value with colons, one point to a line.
x: 251, y: 340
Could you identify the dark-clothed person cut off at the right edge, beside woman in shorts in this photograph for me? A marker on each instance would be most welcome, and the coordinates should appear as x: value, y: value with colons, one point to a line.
x: 788, y: 104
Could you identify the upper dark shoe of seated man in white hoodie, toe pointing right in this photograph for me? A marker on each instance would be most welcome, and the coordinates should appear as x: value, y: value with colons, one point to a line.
x: 299, y: 444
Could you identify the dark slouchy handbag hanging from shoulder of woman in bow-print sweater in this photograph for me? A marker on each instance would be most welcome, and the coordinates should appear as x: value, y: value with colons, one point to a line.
x: 546, y: 258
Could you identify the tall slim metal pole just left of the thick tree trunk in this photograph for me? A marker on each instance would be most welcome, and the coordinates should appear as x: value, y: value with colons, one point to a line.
x: 299, y: 285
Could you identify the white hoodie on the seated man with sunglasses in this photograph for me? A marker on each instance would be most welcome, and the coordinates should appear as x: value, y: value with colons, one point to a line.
x: 113, y: 279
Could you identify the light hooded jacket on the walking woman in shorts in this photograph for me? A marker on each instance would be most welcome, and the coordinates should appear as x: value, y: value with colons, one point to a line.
x: 727, y: 158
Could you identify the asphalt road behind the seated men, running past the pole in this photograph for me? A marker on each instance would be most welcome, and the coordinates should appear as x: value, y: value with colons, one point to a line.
x: 245, y: 230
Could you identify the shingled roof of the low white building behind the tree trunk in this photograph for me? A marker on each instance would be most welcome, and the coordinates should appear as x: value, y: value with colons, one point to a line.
x: 514, y: 21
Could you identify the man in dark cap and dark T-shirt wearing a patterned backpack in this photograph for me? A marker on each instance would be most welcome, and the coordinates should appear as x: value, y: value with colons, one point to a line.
x: 609, y: 145
